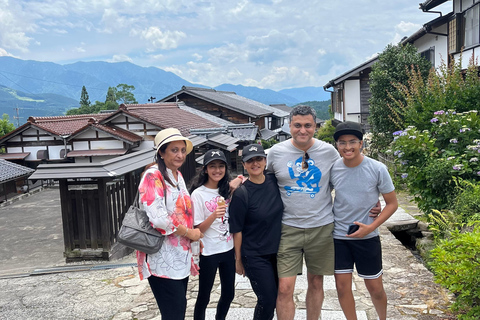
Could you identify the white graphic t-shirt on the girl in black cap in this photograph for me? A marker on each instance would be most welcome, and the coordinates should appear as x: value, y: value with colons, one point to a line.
x: 217, y: 238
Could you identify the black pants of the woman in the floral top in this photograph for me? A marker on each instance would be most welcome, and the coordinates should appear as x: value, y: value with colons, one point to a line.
x: 171, y: 296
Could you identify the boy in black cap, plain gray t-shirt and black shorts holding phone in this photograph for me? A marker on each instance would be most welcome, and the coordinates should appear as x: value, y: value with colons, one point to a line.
x: 358, y: 180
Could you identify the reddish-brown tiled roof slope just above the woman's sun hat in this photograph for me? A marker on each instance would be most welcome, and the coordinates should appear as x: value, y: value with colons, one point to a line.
x: 168, y: 115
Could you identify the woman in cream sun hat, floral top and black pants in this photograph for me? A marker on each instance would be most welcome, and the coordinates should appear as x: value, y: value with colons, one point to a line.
x: 166, y: 200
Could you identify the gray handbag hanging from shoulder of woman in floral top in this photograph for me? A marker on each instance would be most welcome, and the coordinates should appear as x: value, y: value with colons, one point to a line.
x: 137, y: 232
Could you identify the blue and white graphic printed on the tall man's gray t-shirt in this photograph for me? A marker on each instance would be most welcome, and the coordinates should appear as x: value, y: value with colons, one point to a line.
x: 307, y: 180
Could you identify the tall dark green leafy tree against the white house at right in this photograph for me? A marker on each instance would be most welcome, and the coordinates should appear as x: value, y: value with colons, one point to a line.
x: 392, y: 68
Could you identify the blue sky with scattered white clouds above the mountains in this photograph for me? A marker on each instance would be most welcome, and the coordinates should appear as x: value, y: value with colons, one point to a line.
x: 276, y: 44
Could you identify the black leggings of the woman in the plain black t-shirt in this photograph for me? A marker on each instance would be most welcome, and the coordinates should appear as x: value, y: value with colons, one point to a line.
x: 262, y: 273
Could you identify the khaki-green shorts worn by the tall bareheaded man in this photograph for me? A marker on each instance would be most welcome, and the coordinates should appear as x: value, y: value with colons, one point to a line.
x: 315, y: 243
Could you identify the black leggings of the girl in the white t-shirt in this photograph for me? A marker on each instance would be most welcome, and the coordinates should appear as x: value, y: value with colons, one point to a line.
x: 225, y: 263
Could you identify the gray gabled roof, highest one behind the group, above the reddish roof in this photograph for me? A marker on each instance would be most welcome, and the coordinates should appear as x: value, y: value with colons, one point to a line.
x: 228, y: 100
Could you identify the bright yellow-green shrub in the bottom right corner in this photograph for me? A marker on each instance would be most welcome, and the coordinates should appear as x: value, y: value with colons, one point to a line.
x: 456, y: 265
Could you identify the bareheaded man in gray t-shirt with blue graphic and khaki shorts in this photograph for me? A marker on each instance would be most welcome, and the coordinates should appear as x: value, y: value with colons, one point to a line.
x: 302, y: 168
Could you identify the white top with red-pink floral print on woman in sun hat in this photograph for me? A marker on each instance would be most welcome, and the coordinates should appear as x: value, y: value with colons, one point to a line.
x: 174, y: 260
